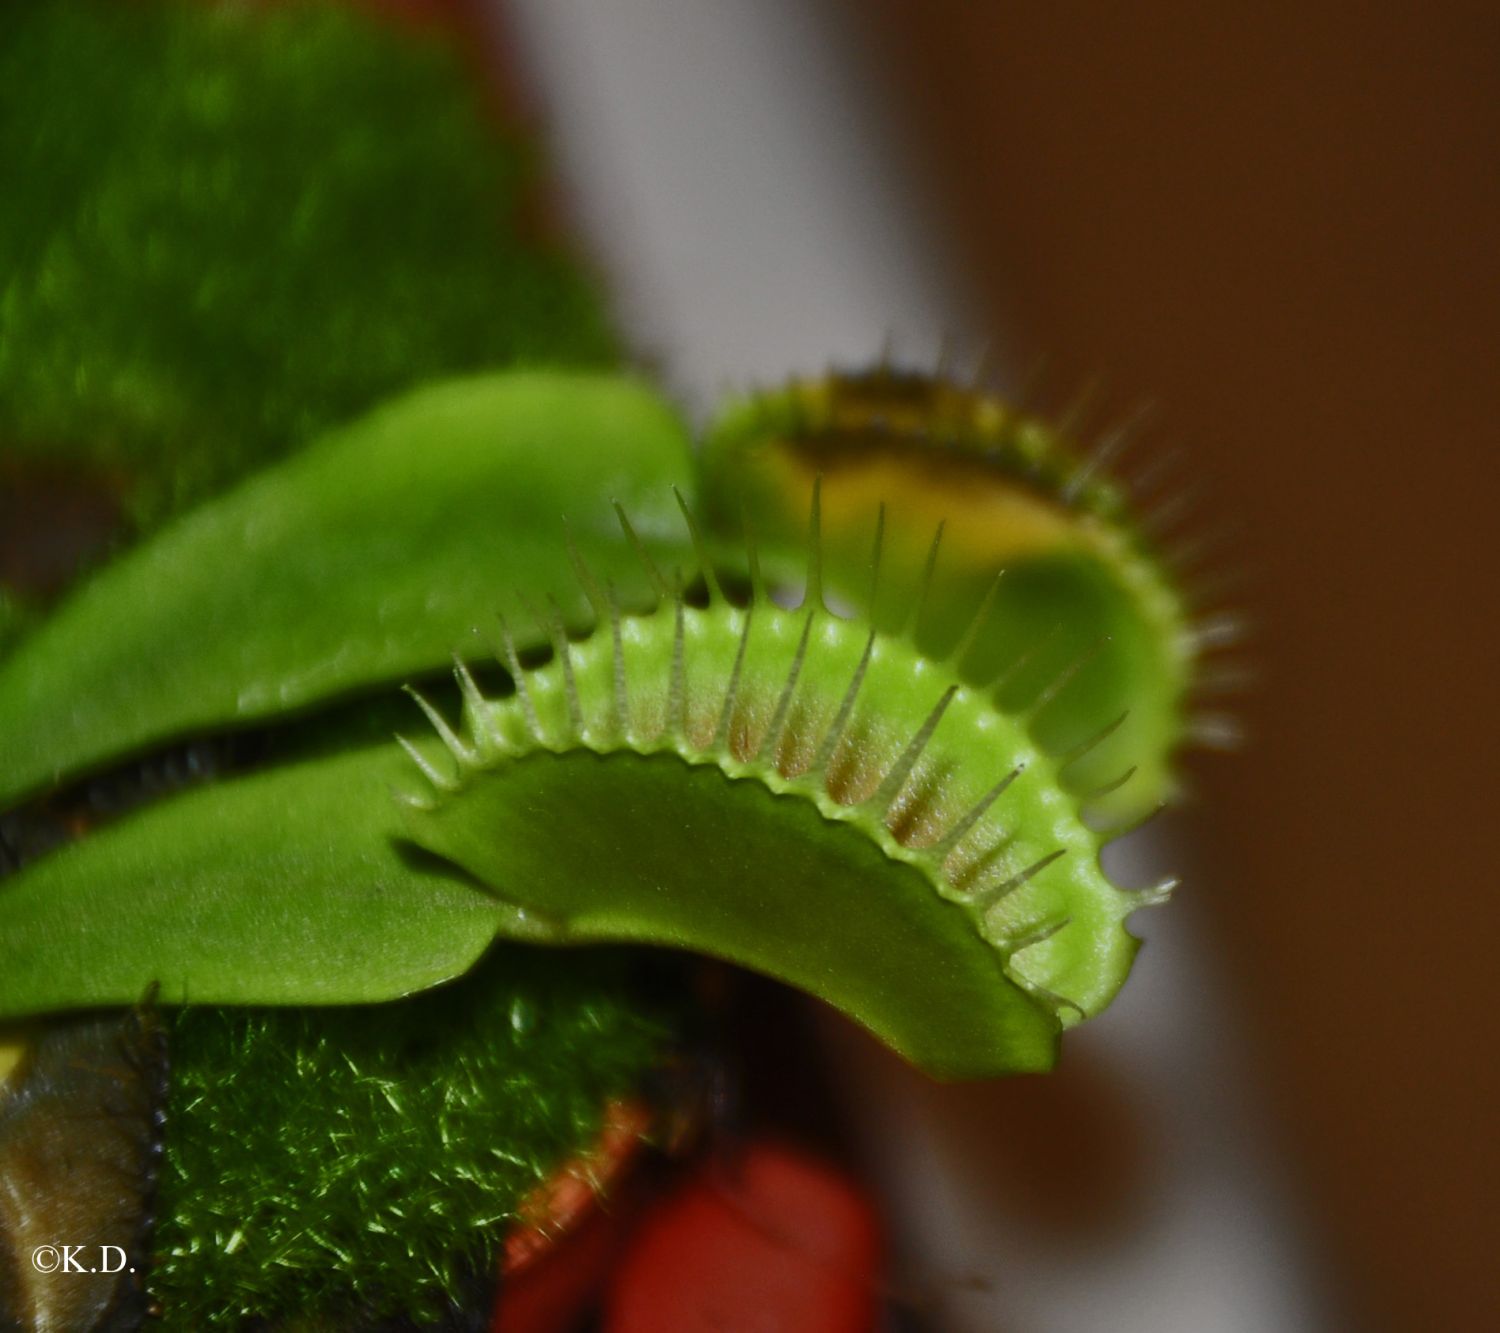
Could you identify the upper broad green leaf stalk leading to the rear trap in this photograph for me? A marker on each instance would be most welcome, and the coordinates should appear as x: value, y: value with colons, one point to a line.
x: 365, y: 560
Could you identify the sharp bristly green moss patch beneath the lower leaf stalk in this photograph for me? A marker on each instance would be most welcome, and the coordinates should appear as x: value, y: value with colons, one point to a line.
x: 322, y: 1161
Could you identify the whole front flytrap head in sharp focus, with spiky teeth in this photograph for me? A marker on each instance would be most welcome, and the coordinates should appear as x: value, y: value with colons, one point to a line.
x: 797, y: 792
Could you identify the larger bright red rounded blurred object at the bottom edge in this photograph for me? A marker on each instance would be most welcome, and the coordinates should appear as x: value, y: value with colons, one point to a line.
x: 778, y: 1244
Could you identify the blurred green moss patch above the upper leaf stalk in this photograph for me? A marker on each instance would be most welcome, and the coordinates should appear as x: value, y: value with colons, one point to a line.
x: 230, y: 227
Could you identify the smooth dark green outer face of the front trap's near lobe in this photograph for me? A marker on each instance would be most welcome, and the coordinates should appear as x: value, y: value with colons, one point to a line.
x: 665, y: 854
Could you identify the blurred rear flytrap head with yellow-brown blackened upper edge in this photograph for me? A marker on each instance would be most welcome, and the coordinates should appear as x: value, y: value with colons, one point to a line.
x: 1084, y: 589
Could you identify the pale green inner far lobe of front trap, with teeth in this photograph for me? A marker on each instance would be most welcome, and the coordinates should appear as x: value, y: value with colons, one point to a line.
x: 824, y: 708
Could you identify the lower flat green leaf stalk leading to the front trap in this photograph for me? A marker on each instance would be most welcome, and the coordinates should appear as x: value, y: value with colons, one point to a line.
x: 286, y: 887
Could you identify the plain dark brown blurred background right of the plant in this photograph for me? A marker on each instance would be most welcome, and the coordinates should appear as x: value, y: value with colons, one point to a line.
x: 1280, y: 223
